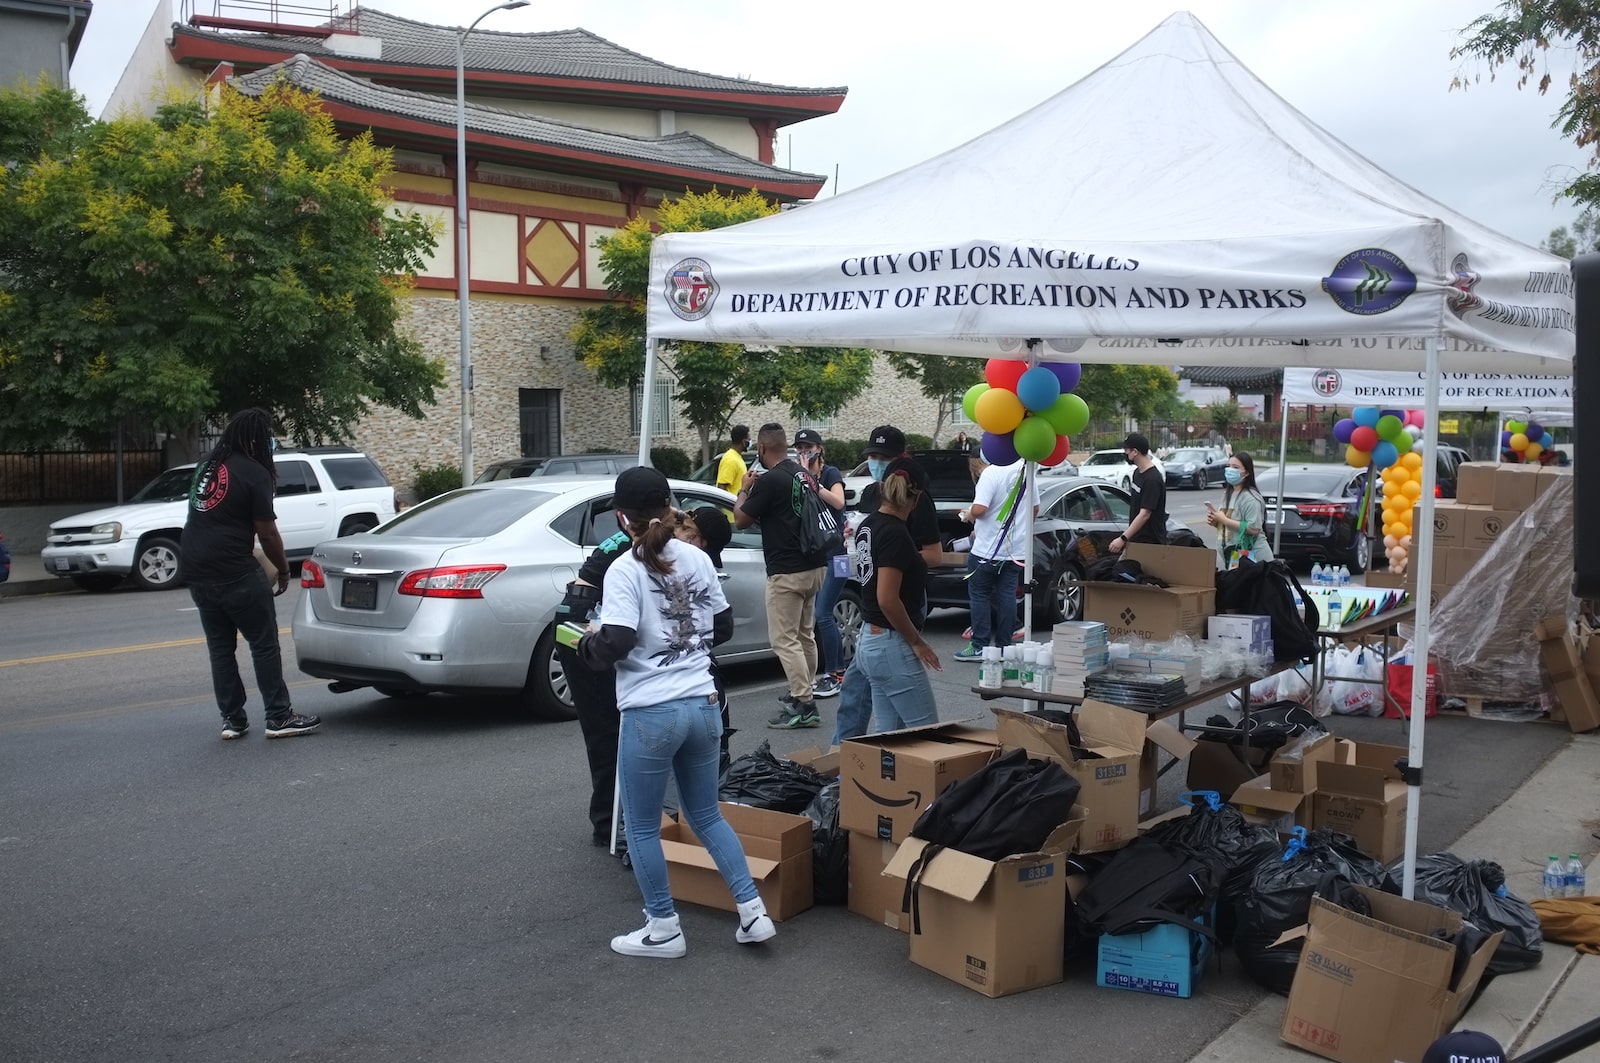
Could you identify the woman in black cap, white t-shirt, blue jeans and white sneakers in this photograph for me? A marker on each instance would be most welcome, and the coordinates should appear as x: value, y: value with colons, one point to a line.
x: 662, y: 614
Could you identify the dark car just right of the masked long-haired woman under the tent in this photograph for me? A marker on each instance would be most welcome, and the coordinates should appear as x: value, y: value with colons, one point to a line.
x: 1321, y: 510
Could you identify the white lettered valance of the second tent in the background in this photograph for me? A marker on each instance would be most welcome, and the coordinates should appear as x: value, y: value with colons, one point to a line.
x: 1457, y: 391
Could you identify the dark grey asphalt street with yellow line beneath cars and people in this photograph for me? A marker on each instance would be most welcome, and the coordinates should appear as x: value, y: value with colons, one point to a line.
x: 417, y: 883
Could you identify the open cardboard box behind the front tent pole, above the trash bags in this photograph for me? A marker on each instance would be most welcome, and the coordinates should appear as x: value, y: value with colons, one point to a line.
x: 1359, y: 793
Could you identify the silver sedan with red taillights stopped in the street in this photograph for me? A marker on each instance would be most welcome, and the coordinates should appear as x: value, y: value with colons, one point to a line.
x: 458, y: 595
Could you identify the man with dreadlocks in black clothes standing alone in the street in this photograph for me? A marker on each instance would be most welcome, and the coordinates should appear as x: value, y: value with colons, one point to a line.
x: 231, y: 507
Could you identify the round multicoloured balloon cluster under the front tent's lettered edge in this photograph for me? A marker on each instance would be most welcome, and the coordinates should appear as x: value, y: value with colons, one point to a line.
x: 1028, y: 412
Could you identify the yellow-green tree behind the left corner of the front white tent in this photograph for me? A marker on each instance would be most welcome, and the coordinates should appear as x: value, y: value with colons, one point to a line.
x: 713, y: 380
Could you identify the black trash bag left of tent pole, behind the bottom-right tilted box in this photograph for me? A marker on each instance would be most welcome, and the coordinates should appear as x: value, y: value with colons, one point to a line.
x: 1279, y: 899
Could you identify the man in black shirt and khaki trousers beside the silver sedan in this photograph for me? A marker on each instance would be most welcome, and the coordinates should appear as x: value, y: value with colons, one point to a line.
x: 772, y: 497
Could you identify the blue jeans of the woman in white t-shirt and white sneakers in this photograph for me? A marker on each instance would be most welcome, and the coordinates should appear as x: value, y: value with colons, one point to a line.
x: 681, y: 739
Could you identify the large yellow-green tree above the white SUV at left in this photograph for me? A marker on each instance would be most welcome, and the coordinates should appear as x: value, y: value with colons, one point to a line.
x: 217, y: 257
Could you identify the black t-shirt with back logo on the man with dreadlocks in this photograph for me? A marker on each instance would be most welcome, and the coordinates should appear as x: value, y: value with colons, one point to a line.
x: 225, y: 505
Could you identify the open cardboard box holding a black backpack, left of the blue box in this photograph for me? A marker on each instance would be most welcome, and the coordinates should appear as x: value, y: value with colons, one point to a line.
x: 996, y: 928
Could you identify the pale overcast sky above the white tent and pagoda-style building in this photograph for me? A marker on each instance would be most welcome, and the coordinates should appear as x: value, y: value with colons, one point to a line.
x: 924, y: 81
